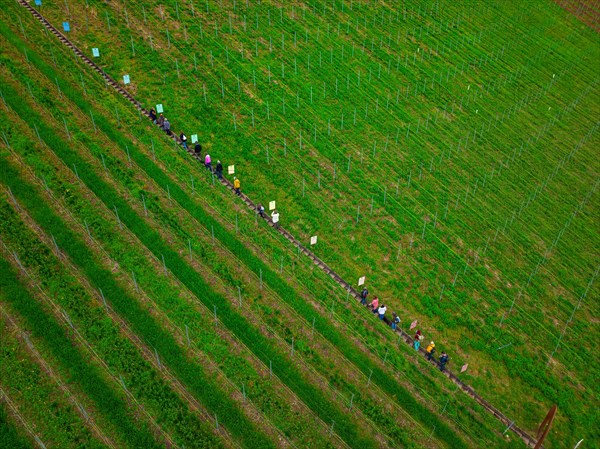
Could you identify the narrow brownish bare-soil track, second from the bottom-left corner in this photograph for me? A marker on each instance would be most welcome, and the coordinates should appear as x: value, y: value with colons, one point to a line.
x: 87, y: 418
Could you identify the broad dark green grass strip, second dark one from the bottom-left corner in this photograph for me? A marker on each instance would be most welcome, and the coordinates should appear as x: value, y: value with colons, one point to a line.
x: 46, y: 328
